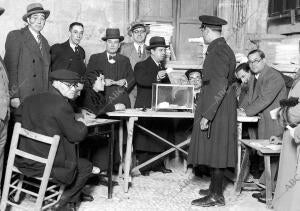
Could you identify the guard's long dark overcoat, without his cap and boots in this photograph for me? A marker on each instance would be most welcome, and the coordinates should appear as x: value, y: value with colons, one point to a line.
x: 217, y: 103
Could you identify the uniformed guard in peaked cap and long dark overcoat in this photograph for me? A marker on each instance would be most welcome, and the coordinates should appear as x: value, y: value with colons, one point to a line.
x: 212, y: 144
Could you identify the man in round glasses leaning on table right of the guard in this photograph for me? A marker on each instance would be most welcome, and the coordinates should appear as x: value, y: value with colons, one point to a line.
x: 266, y: 89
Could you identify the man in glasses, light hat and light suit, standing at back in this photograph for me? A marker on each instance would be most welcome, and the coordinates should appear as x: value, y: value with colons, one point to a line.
x: 136, y: 50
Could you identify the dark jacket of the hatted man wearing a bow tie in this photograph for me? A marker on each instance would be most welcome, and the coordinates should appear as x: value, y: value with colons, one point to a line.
x: 114, y: 94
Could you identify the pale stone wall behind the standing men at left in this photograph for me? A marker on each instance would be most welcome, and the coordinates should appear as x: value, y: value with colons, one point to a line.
x: 96, y: 15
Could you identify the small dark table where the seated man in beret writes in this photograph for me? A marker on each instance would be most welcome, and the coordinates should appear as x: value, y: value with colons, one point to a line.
x: 95, y: 128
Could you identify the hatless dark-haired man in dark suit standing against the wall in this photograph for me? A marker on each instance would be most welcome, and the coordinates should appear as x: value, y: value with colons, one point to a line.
x: 70, y: 55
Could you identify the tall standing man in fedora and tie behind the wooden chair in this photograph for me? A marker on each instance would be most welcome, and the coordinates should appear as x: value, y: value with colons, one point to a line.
x: 27, y: 57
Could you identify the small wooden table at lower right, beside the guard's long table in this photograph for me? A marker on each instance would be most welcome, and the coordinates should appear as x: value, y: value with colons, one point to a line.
x: 261, y: 146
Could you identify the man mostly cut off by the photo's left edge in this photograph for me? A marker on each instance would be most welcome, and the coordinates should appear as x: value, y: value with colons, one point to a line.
x: 4, y: 109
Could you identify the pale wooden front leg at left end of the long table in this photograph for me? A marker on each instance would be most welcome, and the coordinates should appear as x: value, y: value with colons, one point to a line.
x: 130, y: 125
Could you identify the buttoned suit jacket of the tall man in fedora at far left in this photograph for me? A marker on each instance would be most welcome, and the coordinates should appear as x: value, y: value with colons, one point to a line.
x: 27, y: 67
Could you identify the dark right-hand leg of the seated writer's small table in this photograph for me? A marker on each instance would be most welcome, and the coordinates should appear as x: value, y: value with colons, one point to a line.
x: 111, y: 160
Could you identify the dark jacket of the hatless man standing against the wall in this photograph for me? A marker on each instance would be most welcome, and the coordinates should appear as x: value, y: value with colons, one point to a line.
x: 63, y: 56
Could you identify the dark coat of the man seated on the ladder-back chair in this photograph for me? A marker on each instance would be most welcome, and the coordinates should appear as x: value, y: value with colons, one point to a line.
x: 50, y: 114
